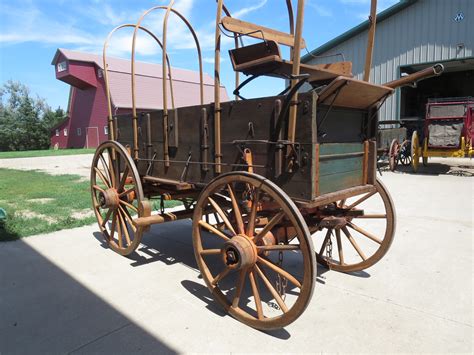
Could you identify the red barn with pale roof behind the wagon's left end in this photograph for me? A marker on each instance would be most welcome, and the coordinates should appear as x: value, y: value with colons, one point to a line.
x: 86, y: 122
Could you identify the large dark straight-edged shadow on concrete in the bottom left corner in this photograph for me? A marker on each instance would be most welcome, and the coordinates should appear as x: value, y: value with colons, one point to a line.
x: 43, y: 310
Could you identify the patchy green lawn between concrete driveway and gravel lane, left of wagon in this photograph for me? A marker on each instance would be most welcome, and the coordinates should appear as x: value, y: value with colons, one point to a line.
x: 37, y: 203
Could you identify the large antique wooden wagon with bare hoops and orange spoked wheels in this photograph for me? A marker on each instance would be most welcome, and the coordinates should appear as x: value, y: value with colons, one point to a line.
x: 272, y: 184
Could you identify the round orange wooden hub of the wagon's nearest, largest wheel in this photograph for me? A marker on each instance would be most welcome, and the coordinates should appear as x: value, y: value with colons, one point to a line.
x: 239, y: 253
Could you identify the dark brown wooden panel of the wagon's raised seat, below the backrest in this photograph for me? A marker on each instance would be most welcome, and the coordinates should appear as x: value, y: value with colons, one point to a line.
x: 254, y: 52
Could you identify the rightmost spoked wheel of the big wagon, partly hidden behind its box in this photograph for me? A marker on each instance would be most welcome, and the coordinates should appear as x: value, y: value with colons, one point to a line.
x: 364, y: 232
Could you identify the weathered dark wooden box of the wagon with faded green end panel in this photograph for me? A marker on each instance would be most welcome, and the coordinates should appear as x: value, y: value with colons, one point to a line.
x: 335, y: 150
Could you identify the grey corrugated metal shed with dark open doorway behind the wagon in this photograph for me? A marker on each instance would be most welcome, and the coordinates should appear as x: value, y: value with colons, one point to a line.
x: 412, y: 35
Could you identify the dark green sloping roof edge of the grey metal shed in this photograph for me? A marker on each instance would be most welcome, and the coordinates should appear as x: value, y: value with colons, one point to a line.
x: 358, y: 29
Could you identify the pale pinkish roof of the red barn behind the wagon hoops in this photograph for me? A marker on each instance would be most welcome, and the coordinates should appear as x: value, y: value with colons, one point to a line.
x: 149, y: 82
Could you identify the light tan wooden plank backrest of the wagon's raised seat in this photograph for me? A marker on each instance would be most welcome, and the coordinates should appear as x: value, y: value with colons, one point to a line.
x: 252, y: 30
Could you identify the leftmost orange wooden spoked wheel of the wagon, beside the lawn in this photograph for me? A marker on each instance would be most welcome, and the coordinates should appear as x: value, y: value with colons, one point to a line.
x: 116, y: 196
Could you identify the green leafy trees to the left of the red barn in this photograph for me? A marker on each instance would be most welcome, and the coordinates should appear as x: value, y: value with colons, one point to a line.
x: 25, y: 123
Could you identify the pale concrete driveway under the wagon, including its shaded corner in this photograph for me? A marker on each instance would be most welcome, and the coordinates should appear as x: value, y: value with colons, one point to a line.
x: 66, y: 292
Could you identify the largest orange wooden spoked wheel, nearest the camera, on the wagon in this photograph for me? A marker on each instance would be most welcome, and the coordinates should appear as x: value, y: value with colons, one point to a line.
x: 254, y: 250
